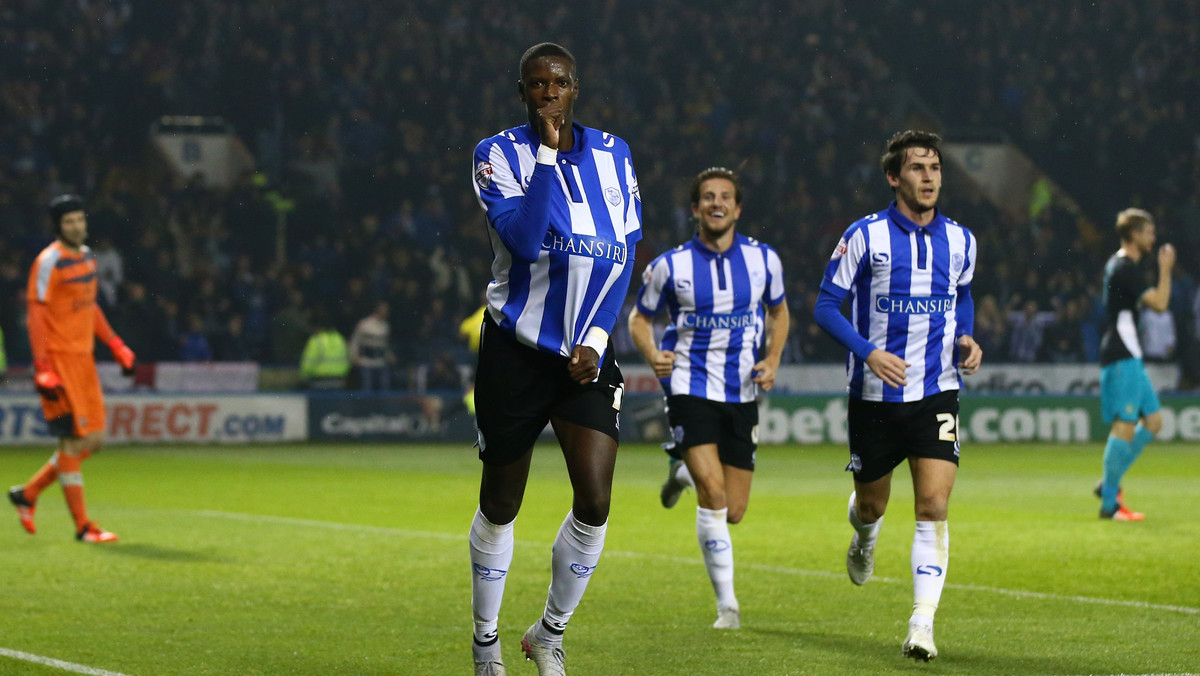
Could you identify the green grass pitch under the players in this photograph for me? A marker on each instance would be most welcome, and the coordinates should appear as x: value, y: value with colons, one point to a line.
x: 353, y: 560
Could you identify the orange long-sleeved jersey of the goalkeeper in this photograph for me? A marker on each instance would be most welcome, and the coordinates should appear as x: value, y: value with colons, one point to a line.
x: 62, y: 300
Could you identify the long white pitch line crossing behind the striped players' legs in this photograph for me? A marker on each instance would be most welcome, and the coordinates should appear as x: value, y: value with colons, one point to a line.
x: 782, y: 570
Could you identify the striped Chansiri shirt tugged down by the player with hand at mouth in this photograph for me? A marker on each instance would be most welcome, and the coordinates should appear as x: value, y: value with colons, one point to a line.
x: 563, y: 236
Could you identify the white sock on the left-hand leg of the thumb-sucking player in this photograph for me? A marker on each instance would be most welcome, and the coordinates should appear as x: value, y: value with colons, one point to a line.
x: 491, y: 553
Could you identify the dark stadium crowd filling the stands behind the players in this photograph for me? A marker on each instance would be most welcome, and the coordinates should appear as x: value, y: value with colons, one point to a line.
x: 365, y: 116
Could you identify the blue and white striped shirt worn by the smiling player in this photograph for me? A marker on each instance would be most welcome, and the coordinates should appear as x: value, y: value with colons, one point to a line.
x: 716, y: 306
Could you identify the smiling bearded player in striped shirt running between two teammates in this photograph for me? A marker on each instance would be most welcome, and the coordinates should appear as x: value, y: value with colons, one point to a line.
x: 724, y: 294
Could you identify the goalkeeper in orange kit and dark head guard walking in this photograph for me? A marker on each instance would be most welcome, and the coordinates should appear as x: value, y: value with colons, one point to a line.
x: 63, y: 320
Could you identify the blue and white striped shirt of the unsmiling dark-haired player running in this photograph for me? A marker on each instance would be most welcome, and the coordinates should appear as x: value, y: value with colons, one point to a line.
x: 910, y: 295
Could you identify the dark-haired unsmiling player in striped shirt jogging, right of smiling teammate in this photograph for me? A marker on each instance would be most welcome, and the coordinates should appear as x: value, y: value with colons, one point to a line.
x: 908, y: 272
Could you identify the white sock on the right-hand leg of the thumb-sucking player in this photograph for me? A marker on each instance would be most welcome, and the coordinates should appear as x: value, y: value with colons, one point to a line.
x: 577, y: 554
